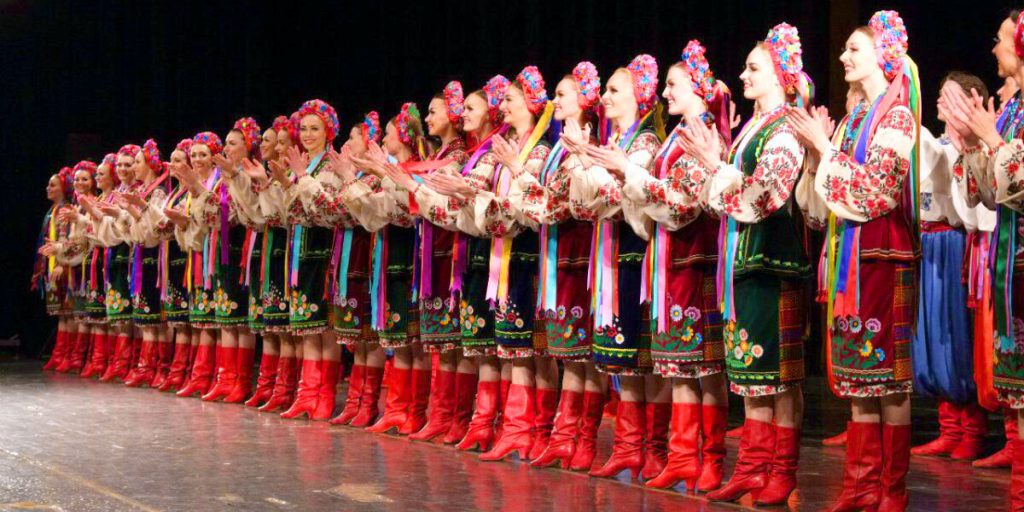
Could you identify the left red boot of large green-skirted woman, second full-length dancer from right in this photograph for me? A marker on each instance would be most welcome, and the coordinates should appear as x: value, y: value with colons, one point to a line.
x: 751, y: 473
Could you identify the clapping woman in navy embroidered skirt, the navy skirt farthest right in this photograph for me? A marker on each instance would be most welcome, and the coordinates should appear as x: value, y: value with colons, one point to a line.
x: 622, y: 343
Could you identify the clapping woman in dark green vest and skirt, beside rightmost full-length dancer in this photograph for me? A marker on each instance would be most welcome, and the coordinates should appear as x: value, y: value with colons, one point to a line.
x: 762, y: 266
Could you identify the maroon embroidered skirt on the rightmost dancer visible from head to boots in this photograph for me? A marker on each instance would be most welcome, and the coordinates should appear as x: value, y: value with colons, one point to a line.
x: 871, y: 352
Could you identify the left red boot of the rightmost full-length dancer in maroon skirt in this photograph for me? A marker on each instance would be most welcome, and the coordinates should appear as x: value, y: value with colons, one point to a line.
x: 863, y: 471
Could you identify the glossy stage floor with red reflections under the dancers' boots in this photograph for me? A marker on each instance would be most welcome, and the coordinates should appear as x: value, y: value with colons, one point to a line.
x: 68, y: 444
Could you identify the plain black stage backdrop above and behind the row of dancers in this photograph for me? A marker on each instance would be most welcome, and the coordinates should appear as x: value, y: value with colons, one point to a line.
x: 79, y: 79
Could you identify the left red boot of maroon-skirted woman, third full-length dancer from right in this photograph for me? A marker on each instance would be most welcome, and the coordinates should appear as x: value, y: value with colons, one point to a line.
x: 684, y: 461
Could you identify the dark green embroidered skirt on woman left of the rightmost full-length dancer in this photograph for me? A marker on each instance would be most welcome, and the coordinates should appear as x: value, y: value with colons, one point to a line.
x: 764, y: 347
